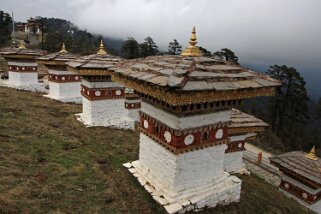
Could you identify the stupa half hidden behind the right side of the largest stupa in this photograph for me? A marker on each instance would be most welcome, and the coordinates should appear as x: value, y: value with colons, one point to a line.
x: 243, y: 128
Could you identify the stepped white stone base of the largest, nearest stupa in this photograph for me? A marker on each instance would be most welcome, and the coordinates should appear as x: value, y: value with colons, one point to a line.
x: 224, y: 191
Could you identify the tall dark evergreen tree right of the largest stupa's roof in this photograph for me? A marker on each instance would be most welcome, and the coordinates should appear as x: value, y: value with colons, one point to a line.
x: 289, y: 108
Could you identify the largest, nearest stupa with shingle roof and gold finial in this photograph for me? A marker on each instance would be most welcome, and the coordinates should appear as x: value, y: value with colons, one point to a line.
x: 185, y: 115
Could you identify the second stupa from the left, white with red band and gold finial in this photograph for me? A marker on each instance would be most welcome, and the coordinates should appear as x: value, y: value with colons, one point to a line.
x: 64, y: 85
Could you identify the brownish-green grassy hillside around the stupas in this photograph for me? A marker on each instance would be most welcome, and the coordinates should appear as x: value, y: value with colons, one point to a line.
x: 50, y: 163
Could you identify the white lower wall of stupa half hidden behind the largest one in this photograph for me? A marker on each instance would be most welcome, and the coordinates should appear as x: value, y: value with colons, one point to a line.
x: 233, y: 162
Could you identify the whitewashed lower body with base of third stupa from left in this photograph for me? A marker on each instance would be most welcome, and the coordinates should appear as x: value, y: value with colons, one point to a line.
x: 107, y: 112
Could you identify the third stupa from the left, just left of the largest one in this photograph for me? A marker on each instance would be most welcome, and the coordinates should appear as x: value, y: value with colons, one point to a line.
x: 103, y: 99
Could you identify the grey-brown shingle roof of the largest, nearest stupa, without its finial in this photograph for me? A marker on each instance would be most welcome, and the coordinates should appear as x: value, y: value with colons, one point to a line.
x: 193, y: 74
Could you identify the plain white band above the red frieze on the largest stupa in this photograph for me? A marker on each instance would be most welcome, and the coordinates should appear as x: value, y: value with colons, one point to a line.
x: 185, y: 122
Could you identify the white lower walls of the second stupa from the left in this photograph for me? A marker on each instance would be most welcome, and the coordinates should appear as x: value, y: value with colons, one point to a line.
x: 65, y: 92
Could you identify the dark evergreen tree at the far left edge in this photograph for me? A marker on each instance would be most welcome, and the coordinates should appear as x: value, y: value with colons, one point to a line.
x: 5, y: 28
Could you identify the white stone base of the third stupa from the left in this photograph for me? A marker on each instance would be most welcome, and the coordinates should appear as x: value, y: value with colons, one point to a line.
x: 119, y: 123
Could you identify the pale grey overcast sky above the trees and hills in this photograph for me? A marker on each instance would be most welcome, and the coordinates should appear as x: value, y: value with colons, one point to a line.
x: 259, y: 31
